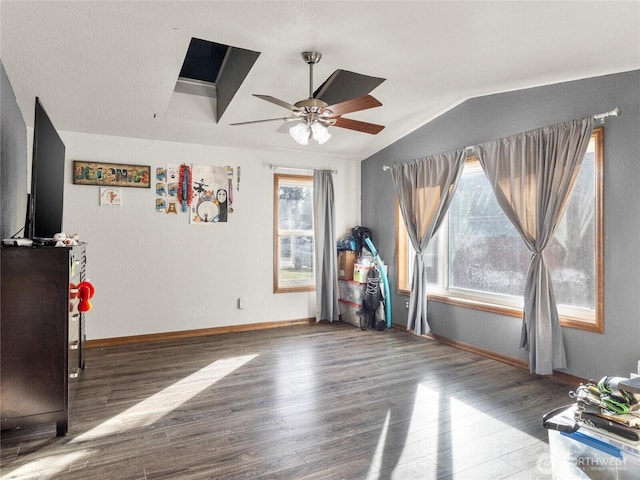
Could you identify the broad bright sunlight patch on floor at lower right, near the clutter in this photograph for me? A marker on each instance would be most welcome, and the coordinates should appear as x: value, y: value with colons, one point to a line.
x: 444, y: 435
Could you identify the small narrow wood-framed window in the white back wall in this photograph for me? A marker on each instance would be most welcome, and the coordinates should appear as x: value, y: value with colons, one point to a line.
x: 293, y: 250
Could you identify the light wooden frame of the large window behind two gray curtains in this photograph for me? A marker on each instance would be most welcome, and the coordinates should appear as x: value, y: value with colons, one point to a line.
x: 570, y: 316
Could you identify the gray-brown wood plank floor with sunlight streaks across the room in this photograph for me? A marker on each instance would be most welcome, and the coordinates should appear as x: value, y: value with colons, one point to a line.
x: 304, y: 402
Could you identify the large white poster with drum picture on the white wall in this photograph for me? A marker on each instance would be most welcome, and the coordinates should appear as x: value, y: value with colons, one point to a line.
x: 210, y: 203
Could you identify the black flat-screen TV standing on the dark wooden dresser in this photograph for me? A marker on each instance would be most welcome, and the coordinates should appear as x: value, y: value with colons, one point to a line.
x: 47, y: 177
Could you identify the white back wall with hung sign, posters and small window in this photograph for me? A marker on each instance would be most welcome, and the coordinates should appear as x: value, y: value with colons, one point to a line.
x: 156, y: 273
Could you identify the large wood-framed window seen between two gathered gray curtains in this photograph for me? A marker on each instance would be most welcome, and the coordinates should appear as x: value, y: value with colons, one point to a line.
x: 477, y: 258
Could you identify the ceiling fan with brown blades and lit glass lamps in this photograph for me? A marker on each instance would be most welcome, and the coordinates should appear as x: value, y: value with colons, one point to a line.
x: 313, y: 115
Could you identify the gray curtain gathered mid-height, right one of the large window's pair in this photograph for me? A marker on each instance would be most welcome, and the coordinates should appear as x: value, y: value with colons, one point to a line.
x: 532, y: 175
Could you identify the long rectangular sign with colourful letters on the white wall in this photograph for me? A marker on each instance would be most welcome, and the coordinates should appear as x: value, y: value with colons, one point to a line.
x: 111, y: 174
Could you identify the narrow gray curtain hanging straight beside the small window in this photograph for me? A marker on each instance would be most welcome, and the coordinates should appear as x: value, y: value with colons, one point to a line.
x: 325, y: 247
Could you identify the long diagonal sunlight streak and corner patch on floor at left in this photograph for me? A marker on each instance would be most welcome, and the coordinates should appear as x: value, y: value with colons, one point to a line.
x: 141, y: 414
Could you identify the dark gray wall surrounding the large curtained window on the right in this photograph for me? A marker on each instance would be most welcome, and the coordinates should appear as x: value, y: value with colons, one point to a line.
x: 589, y: 355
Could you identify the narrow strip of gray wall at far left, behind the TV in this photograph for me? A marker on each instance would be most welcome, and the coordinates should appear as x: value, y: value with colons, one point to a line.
x: 13, y: 162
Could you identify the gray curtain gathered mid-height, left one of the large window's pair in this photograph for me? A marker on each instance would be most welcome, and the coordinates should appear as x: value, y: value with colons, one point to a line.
x: 424, y: 188
